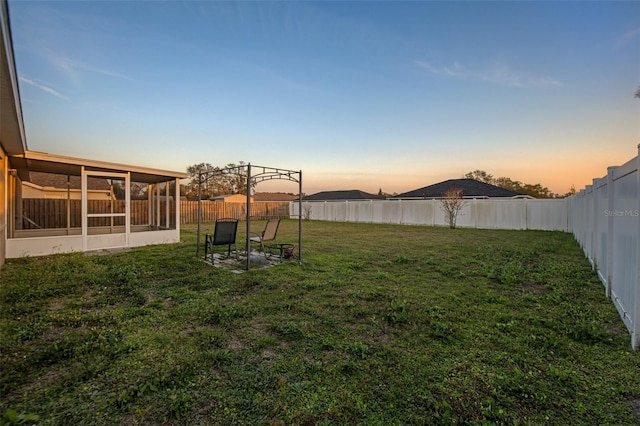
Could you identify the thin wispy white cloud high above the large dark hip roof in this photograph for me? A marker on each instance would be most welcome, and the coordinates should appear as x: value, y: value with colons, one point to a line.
x: 498, y: 73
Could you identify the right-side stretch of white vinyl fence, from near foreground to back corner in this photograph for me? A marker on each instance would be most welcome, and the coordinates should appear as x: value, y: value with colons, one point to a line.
x: 605, y: 219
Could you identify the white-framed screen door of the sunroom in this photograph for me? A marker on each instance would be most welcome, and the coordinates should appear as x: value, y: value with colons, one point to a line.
x: 106, y: 222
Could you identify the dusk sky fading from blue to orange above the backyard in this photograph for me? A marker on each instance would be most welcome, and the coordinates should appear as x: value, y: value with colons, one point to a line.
x: 358, y: 95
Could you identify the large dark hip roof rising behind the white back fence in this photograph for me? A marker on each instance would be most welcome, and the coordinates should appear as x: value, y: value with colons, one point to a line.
x: 470, y: 188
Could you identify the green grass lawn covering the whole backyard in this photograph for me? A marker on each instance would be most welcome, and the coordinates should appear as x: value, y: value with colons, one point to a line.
x: 381, y: 325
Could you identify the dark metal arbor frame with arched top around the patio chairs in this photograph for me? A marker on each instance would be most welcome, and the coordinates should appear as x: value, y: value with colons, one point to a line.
x: 262, y: 174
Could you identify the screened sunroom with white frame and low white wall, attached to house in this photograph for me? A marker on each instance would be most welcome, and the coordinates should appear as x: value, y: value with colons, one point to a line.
x: 87, y: 205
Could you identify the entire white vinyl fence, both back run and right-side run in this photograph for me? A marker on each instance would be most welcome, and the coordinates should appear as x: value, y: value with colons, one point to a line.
x: 603, y: 217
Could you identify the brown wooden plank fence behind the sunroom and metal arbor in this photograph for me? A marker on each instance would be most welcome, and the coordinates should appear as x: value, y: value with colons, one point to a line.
x: 39, y: 213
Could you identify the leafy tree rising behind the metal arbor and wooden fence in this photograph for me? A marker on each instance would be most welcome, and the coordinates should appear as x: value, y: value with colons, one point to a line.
x: 231, y: 179
